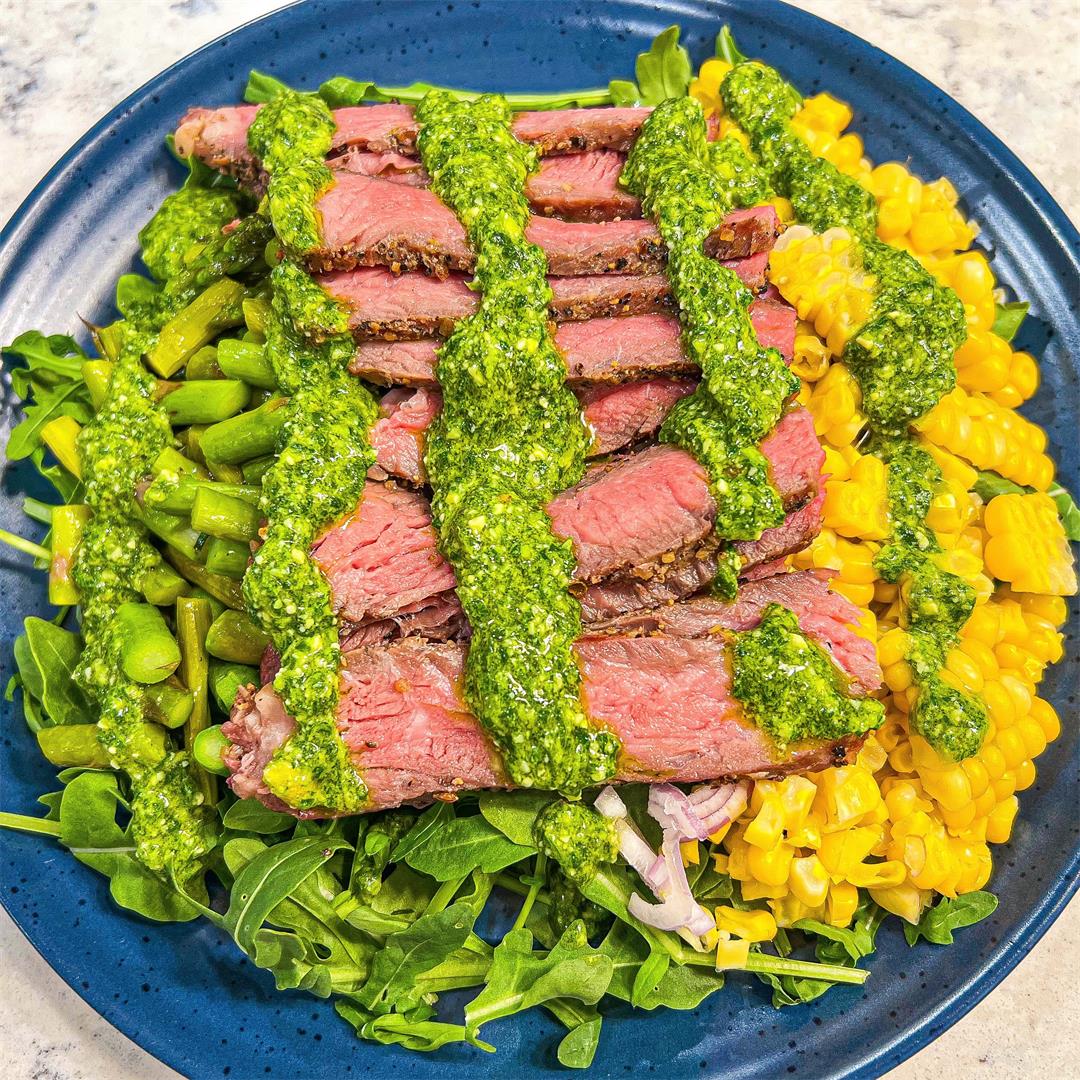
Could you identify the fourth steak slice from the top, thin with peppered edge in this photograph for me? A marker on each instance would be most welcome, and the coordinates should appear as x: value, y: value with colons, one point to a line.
x: 412, y: 306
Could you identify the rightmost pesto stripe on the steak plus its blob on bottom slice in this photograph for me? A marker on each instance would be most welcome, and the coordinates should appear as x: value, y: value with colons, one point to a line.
x: 688, y: 185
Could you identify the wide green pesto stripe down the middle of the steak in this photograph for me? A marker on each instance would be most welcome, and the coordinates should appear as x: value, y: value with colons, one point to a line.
x: 509, y: 437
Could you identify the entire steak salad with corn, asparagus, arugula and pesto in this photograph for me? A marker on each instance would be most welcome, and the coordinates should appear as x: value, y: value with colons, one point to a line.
x: 563, y: 548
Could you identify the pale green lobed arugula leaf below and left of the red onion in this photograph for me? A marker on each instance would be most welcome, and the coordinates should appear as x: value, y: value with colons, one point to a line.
x: 521, y: 979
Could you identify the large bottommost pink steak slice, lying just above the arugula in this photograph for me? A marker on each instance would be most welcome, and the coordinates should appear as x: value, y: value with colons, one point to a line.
x: 664, y: 687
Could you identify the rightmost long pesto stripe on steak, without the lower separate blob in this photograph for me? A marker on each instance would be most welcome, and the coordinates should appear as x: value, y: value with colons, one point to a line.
x: 688, y: 187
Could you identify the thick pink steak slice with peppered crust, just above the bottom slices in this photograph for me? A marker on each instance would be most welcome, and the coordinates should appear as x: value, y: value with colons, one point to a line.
x: 649, y: 518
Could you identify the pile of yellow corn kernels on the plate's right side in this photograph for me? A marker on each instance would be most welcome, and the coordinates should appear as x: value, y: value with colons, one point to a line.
x: 903, y: 822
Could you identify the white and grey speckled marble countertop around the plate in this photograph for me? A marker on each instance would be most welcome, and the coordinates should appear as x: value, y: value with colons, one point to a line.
x: 995, y: 57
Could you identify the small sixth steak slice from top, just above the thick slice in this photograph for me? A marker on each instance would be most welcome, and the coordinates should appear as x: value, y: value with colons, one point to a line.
x: 618, y: 415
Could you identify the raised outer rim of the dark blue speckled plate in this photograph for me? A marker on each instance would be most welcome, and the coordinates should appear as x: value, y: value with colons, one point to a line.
x: 1007, y: 956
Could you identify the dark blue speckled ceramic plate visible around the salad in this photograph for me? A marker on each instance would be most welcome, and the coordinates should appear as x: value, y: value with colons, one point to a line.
x: 184, y: 992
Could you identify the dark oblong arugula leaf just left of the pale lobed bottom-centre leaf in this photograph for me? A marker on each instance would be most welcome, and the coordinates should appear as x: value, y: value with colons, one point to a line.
x: 407, y: 956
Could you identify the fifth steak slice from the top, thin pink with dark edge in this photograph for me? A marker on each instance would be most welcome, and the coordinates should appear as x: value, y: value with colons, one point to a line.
x: 597, y: 350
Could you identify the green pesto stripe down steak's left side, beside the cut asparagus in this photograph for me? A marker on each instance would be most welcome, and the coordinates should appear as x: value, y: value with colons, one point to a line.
x: 318, y: 478
